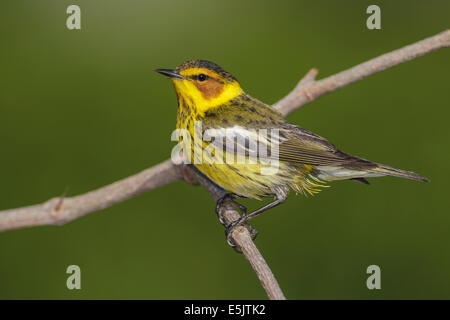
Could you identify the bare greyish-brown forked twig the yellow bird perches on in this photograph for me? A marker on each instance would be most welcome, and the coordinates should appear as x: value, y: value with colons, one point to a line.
x: 61, y: 210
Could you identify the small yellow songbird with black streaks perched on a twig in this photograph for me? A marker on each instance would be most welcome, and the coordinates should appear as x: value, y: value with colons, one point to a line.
x: 212, y: 102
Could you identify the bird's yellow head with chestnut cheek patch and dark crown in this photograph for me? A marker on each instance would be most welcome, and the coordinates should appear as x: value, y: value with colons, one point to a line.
x: 203, y: 84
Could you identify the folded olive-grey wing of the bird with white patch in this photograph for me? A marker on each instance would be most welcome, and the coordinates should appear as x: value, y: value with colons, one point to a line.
x: 242, y: 126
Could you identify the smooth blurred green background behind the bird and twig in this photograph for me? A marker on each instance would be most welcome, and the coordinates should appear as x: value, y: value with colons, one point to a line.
x: 81, y: 109
